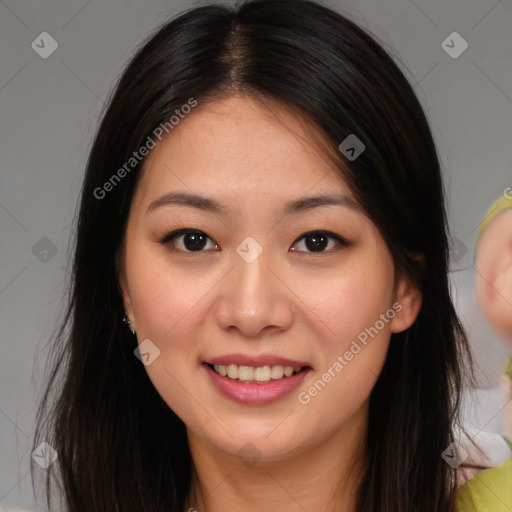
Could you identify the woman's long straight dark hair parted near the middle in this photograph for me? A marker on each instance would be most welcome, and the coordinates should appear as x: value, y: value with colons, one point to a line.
x: 120, y: 447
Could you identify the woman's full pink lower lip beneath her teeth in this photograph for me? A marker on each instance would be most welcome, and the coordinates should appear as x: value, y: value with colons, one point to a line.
x: 256, y: 394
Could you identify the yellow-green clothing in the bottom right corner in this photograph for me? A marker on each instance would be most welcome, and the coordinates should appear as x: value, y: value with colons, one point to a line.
x: 488, y: 491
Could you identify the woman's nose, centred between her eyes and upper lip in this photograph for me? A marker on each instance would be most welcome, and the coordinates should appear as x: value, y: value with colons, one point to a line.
x: 254, y: 299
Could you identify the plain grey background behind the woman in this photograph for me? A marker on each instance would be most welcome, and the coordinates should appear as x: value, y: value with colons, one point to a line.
x: 49, y: 112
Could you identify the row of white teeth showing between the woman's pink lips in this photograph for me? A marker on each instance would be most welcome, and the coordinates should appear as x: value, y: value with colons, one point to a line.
x: 256, y: 374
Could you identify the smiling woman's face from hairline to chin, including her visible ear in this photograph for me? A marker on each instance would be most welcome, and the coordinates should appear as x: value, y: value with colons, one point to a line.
x: 267, y: 283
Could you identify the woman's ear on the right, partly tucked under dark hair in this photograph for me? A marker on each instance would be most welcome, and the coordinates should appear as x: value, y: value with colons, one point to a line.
x: 408, y: 299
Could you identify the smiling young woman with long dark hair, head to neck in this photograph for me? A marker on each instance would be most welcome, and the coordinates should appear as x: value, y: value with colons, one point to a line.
x: 263, y: 205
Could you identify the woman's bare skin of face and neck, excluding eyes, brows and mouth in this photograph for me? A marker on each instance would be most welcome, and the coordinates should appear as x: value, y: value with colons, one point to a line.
x: 300, y: 304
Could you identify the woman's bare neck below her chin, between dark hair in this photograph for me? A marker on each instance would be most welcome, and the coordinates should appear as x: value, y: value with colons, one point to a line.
x: 323, y: 477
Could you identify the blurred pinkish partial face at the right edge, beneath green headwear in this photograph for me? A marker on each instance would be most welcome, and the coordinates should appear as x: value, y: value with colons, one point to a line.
x: 493, y: 284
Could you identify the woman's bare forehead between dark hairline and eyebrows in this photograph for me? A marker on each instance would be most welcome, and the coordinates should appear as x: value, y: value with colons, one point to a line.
x: 240, y: 146
